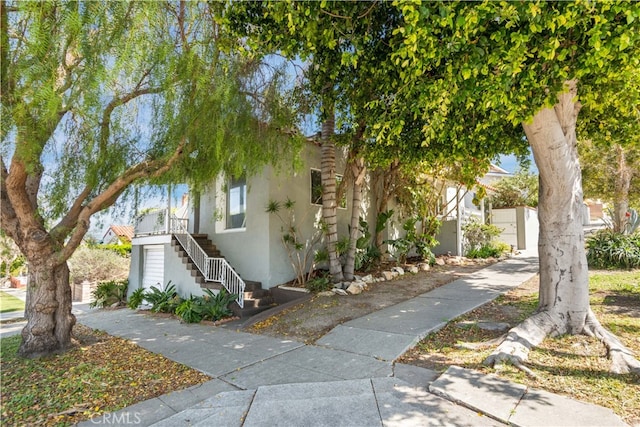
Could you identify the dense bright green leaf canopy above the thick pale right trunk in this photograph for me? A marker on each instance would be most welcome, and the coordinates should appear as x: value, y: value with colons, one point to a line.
x: 473, y: 72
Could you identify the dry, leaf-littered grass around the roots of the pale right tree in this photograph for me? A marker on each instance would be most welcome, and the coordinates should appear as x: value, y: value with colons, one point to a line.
x: 574, y: 366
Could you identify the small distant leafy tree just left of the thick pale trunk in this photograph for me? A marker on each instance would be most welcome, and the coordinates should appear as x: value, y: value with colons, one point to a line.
x: 519, y: 190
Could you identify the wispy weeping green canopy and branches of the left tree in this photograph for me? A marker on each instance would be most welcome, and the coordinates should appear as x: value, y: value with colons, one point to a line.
x: 97, y: 95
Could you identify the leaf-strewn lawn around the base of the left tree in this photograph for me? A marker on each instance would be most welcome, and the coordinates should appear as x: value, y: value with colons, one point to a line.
x: 101, y: 374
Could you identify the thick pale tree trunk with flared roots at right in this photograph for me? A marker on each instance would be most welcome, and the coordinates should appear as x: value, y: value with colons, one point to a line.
x: 564, y: 279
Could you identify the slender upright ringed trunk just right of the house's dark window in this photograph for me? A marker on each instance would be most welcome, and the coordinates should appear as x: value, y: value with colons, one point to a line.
x: 329, y: 202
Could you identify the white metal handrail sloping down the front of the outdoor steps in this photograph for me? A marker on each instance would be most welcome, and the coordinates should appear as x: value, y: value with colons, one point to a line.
x: 213, y: 269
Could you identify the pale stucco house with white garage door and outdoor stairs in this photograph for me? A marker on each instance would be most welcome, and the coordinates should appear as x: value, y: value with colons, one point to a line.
x: 225, y: 237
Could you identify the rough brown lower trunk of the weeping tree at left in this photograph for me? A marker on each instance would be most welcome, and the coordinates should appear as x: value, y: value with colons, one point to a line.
x: 50, y: 320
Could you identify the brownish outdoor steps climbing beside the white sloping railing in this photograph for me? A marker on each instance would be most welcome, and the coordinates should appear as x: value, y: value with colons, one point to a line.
x: 256, y: 299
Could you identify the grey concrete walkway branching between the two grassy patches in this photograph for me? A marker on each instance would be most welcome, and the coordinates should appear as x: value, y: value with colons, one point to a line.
x: 349, y: 377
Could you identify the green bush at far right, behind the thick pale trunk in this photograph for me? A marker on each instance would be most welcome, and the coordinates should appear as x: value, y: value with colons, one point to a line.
x: 607, y: 249
